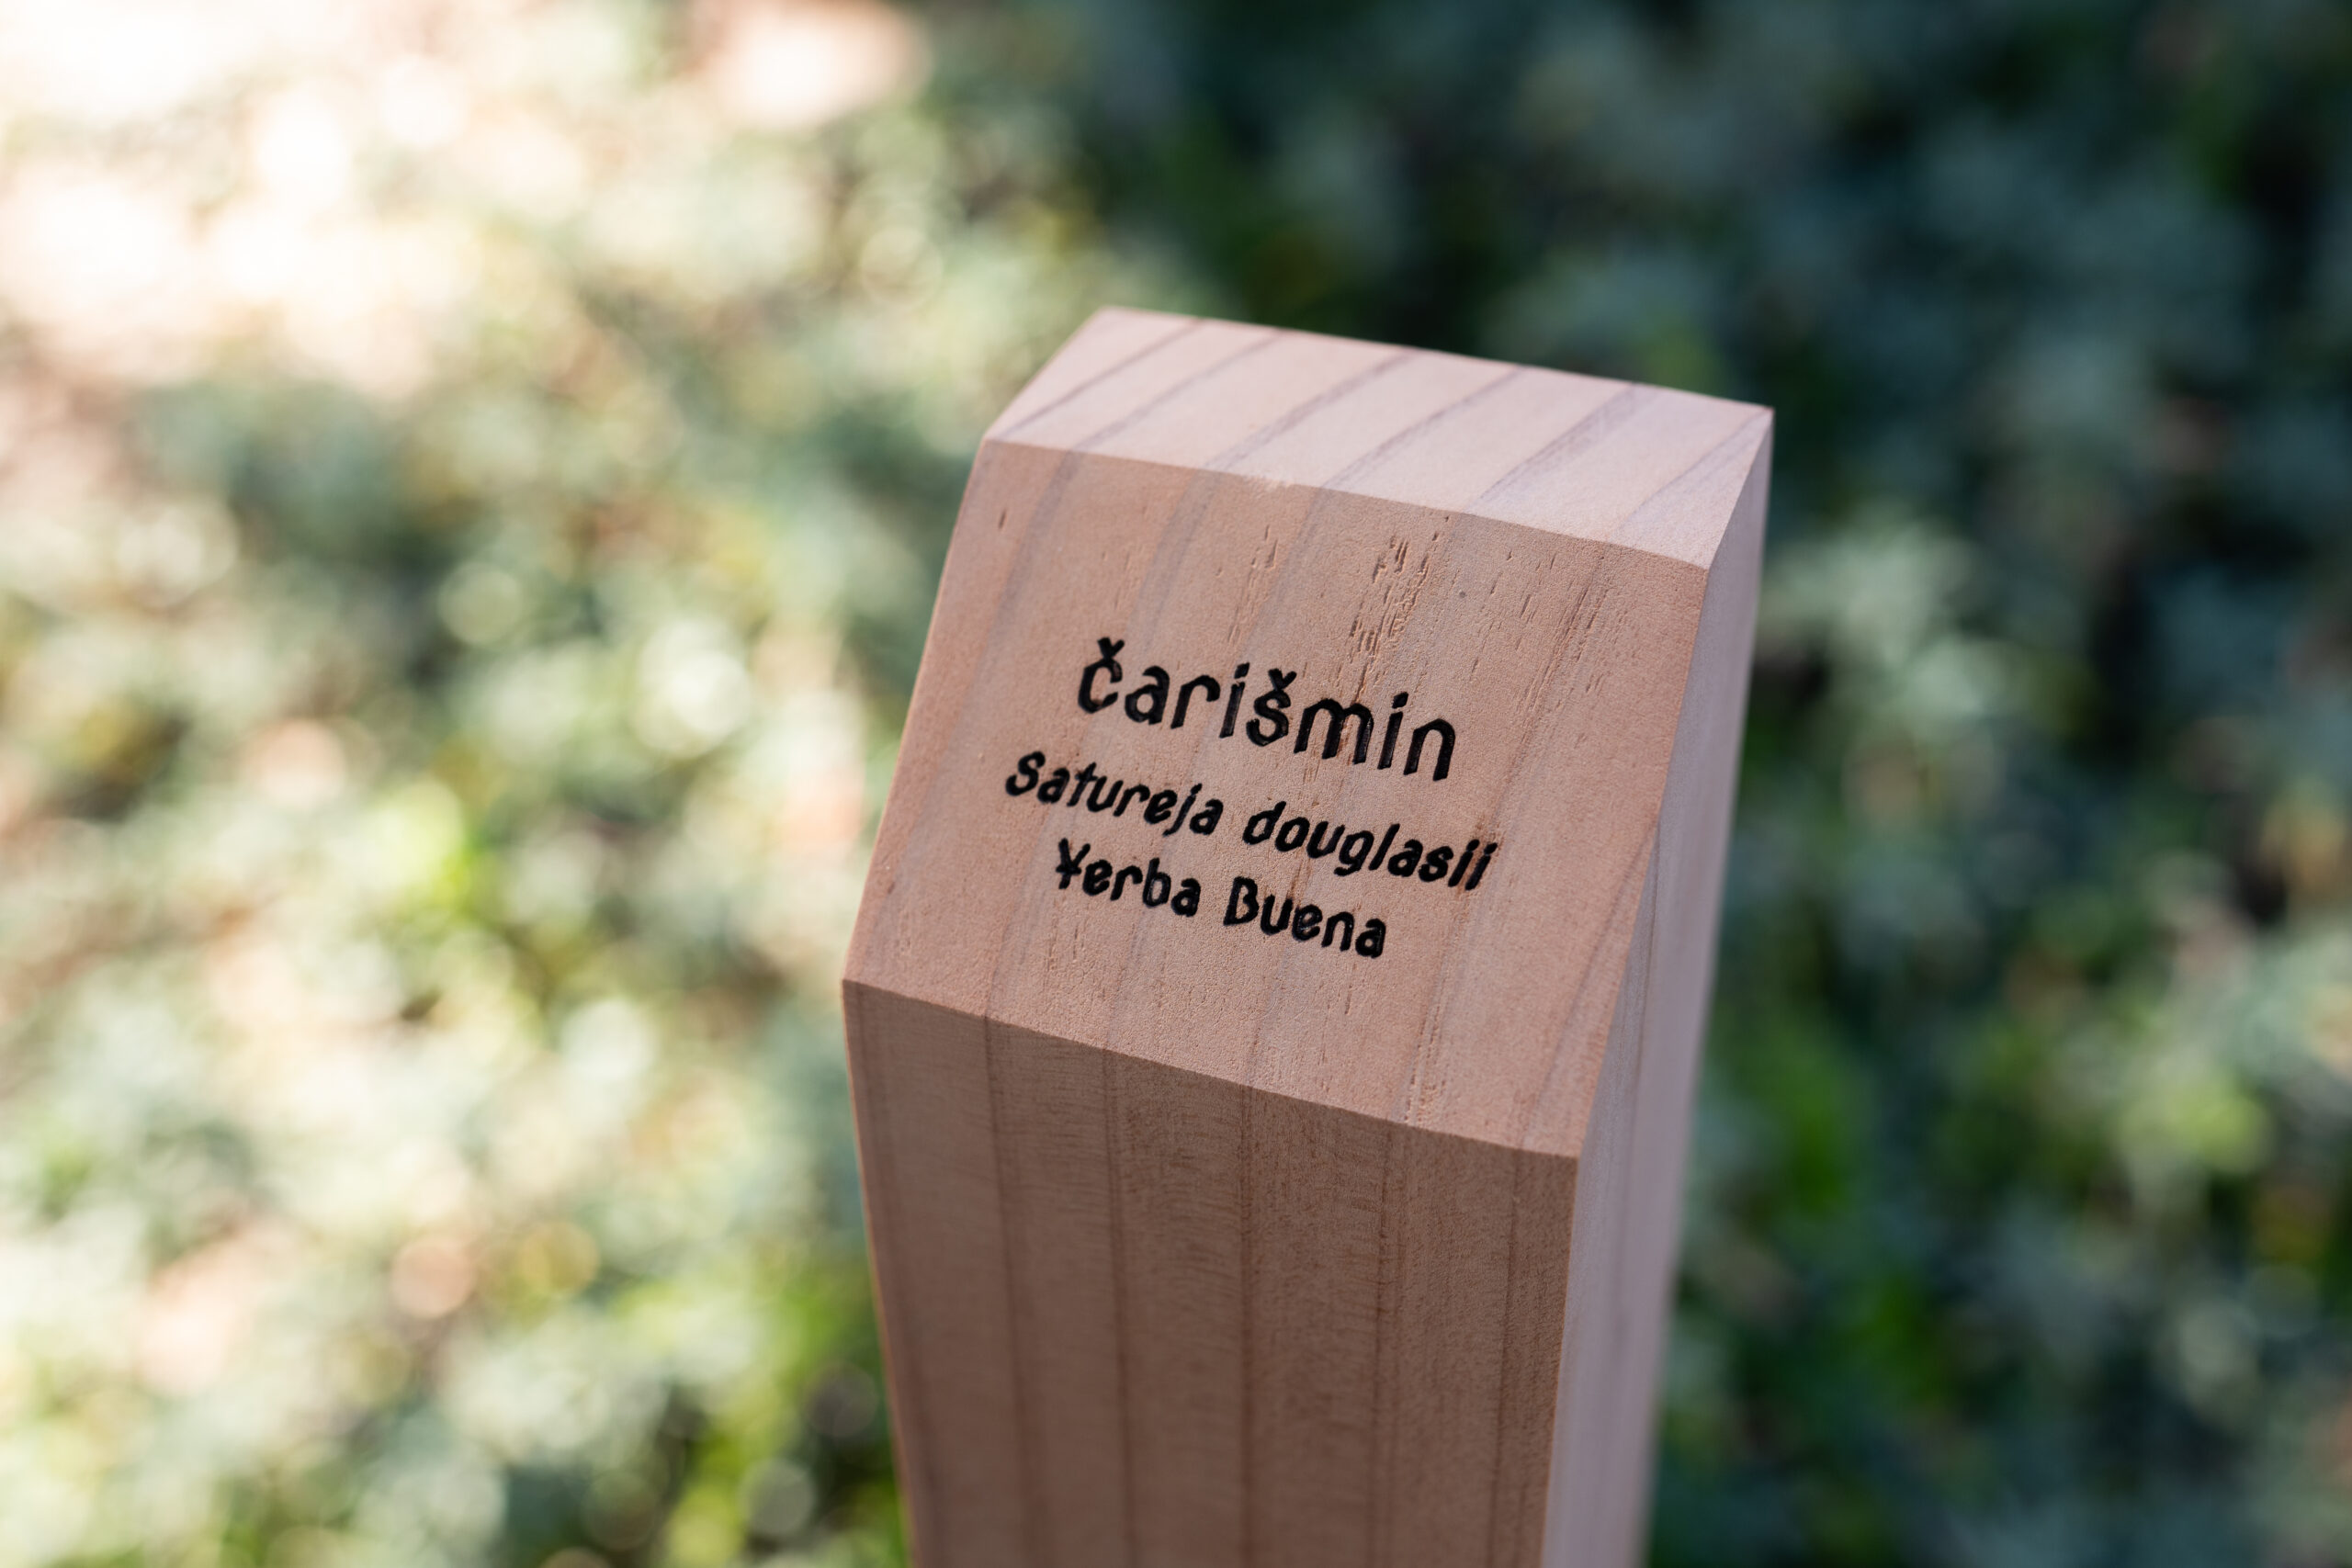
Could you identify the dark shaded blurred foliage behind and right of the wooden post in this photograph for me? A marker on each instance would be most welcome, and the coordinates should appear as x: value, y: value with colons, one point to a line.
x: 2022, y: 1228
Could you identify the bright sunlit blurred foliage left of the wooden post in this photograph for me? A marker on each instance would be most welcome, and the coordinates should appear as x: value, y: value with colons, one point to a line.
x: 472, y: 483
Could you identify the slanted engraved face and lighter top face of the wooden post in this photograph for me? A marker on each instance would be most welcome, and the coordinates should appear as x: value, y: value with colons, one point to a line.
x: 1396, y: 864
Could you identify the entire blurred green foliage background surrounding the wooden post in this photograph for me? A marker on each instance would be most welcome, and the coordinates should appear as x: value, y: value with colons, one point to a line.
x: 472, y: 488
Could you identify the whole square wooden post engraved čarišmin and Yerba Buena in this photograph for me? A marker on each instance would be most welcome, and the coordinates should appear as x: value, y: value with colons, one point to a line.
x: 1278, y: 991
